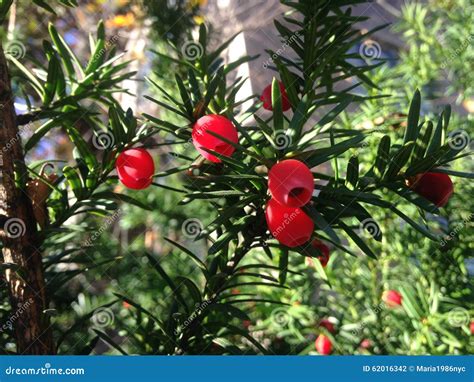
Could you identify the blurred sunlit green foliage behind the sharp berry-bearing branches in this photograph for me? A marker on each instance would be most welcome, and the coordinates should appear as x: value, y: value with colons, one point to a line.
x: 431, y: 276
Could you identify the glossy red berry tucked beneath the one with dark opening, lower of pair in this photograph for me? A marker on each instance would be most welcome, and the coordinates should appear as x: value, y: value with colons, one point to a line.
x: 290, y: 226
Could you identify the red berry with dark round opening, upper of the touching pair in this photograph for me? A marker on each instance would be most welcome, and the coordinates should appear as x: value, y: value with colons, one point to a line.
x: 291, y: 183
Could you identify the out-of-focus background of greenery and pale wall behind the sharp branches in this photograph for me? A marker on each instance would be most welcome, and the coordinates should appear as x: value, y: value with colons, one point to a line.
x: 427, y: 45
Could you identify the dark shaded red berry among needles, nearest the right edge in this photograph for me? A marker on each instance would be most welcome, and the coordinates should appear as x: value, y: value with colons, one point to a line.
x: 434, y: 186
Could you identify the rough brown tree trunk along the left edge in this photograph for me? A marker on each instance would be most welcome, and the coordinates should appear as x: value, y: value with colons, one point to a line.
x: 21, y: 252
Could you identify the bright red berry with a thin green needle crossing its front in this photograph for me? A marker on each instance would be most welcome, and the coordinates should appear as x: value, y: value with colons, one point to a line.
x: 203, y: 139
